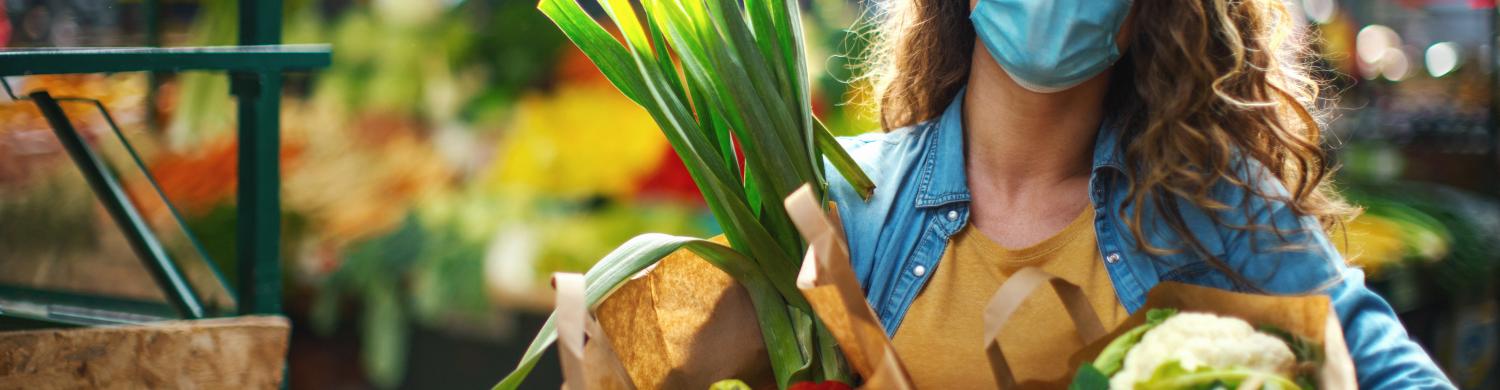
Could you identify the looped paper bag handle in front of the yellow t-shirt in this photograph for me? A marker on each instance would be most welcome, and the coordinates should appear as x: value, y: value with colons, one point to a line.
x: 1010, y: 298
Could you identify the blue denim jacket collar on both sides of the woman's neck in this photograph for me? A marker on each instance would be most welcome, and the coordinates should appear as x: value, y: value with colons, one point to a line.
x: 943, y: 163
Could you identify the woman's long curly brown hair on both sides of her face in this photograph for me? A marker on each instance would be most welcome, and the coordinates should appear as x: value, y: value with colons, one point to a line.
x: 1225, y: 85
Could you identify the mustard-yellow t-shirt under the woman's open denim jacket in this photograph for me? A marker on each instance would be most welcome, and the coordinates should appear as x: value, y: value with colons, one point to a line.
x: 943, y: 337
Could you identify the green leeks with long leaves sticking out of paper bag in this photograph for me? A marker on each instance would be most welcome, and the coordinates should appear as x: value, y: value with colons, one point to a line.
x: 718, y: 74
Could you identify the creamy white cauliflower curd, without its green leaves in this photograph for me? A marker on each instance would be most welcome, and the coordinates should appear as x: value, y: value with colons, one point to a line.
x: 1204, y: 341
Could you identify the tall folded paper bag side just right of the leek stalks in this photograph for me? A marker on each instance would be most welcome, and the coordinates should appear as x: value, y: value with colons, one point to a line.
x: 832, y: 289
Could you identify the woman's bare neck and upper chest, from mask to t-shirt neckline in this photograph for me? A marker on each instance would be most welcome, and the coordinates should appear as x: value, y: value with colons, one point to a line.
x: 1028, y: 155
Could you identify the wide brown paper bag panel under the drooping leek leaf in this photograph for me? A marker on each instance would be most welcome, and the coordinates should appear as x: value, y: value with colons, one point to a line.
x: 686, y: 325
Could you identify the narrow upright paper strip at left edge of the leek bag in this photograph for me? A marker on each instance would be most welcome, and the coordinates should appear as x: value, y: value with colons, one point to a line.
x: 589, y: 359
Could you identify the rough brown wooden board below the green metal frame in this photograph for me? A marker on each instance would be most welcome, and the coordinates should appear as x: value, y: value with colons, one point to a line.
x: 221, y: 353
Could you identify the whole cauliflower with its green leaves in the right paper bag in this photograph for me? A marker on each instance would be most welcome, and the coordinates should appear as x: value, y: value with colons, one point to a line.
x: 1195, y: 350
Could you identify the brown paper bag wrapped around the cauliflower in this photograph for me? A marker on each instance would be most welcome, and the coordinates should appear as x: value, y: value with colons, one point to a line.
x: 1310, y: 317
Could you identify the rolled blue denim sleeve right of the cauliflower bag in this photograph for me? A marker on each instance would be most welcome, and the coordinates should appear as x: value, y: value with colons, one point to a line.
x: 1385, y: 356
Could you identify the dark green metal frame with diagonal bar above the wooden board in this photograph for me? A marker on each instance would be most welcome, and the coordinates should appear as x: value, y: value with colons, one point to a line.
x: 256, y: 73
